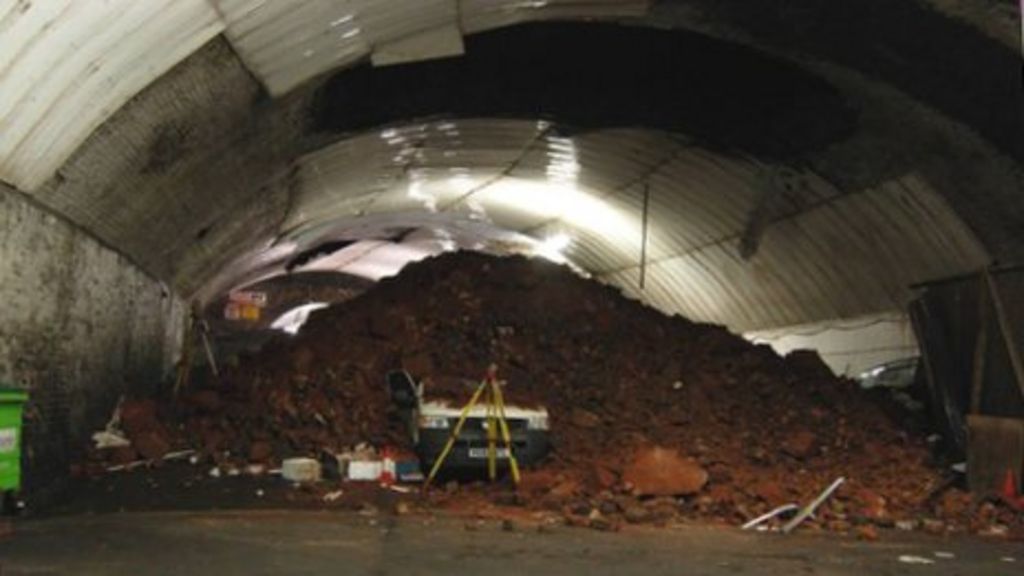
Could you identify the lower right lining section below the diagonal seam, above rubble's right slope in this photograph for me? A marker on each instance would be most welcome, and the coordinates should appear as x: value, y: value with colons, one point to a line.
x: 854, y: 256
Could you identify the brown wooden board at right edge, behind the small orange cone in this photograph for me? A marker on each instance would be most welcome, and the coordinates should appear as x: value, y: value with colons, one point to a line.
x: 995, y: 446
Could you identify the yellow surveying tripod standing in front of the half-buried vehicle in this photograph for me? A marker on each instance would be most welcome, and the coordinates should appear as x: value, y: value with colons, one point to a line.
x: 491, y: 393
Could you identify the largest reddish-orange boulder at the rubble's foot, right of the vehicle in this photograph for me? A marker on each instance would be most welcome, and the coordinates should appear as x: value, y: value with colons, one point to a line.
x: 662, y: 472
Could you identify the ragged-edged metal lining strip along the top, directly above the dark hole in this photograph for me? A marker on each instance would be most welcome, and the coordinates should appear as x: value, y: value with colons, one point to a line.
x: 287, y: 43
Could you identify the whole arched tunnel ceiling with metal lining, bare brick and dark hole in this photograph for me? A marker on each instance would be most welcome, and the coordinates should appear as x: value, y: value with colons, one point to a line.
x: 894, y: 175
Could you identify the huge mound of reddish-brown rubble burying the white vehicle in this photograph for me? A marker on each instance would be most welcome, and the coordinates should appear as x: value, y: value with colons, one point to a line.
x: 653, y: 418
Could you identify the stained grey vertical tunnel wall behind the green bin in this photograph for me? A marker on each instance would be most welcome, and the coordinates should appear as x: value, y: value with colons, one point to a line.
x: 81, y: 326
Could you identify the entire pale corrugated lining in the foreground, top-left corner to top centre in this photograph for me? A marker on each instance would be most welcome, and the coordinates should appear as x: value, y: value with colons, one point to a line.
x: 69, y: 65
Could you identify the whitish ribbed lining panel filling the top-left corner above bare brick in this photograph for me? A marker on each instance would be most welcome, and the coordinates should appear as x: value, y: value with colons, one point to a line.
x: 69, y: 65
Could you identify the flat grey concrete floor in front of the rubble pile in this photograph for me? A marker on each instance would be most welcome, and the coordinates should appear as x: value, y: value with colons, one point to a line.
x: 302, y: 543
